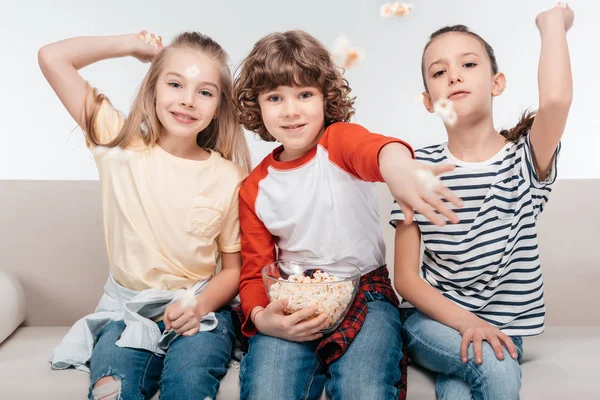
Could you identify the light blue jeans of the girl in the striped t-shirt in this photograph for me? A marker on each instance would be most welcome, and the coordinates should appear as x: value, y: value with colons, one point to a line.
x: 436, y: 347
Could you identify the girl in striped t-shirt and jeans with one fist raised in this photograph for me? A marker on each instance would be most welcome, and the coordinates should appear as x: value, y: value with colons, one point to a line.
x: 479, y: 287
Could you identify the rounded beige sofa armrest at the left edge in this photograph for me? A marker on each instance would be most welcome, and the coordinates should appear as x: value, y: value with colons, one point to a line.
x: 12, y: 304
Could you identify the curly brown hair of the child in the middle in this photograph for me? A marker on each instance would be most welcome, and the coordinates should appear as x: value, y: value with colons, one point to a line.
x: 292, y: 58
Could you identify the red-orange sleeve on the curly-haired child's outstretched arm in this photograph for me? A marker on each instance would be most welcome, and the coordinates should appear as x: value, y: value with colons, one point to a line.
x: 356, y: 150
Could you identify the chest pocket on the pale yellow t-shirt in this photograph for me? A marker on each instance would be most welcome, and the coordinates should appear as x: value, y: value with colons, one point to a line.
x: 205, y: 218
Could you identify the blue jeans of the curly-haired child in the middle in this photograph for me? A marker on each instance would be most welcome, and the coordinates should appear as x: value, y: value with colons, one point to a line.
x: 278, y: 369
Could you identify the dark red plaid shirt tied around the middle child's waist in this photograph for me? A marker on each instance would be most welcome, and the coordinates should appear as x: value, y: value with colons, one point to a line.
x: 336, y: 344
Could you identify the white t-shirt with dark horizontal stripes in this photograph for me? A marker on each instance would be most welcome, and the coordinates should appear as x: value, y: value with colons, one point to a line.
x: 489, y: 263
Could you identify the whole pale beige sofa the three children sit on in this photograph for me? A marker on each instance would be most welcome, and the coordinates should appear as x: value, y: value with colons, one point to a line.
x: 53, y: 267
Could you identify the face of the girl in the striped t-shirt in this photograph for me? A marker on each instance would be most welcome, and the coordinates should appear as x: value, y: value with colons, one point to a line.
x: 457, y: 67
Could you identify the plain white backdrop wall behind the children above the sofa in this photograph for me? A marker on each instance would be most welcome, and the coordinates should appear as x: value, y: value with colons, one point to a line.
x: 39, y: 139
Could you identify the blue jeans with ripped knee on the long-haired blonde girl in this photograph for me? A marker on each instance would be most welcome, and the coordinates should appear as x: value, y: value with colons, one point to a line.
x: 191, y: 369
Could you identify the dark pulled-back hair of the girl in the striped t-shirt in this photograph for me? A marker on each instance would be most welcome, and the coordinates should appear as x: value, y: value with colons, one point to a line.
x: 526, y: 121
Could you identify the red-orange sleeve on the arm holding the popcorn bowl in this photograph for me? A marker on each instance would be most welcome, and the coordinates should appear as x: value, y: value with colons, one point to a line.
x: 258, y: 250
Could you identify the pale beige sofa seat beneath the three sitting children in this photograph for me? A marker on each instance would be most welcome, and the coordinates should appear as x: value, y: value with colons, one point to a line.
x: 559, y: 364
